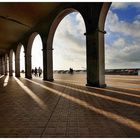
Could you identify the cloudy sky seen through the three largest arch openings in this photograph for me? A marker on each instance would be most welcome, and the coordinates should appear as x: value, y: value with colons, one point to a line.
x: 122, y: 49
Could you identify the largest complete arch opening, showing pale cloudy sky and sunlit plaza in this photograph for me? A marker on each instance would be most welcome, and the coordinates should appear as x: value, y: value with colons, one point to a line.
x: 69, y: 49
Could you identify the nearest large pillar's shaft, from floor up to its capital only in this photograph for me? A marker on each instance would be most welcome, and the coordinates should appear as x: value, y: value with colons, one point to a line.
x: 95, y: 58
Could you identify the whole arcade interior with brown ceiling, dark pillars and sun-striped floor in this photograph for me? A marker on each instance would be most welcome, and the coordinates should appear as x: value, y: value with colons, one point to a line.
x: 32, y: 107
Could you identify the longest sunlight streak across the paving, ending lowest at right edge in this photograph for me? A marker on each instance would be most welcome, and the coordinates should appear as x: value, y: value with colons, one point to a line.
x: 118, y: 118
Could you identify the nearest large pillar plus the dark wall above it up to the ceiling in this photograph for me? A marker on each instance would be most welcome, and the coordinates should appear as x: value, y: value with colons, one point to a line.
x: 94, y: 45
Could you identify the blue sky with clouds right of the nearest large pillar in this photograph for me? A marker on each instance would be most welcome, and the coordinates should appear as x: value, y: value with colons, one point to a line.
x: 122, y: 49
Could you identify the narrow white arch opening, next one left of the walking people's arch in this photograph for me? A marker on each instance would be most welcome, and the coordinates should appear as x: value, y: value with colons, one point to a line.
x: 22, y: 60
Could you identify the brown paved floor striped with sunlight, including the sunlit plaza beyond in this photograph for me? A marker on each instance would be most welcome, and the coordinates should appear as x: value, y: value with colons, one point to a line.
x: 66, y: 108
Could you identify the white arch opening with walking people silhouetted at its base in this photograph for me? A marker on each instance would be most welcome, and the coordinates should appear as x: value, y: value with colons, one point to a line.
x: 37, y: 57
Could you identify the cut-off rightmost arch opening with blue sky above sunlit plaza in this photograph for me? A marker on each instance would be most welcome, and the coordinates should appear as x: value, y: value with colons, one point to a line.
x: 122, y: 44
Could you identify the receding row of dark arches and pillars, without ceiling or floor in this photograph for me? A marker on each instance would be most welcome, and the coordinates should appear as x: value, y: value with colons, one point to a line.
x: 94, y: 15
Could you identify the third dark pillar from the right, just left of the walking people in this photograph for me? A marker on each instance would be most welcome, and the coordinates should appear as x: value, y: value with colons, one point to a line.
x: 28, y: 64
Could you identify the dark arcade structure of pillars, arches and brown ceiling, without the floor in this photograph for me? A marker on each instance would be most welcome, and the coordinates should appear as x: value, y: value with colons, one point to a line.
x: 21, y: 23
